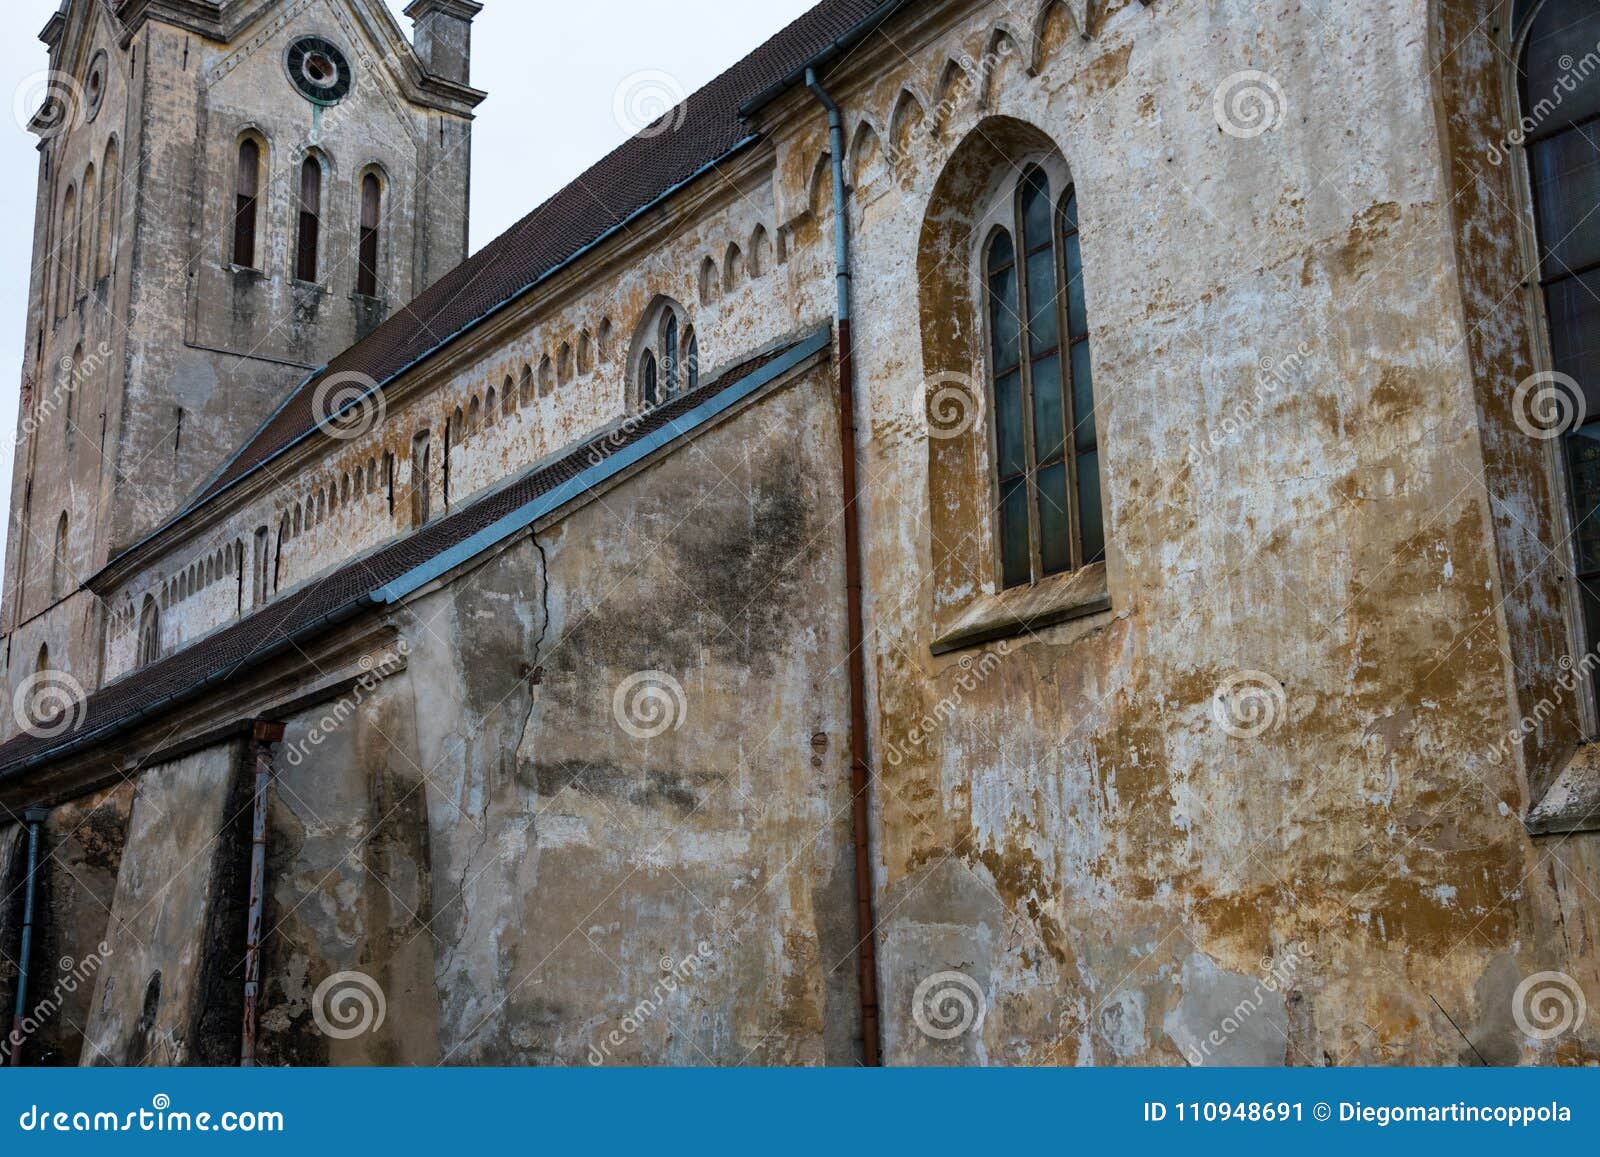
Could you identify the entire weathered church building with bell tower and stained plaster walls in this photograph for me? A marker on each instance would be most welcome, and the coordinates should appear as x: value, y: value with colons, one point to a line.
x: 1025, y: 534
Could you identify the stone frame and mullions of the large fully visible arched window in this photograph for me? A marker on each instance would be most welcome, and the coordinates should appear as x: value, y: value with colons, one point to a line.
x: 1004, y: 215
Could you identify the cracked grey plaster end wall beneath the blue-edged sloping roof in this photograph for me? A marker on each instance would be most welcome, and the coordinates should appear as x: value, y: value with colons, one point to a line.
x: 679, y: 892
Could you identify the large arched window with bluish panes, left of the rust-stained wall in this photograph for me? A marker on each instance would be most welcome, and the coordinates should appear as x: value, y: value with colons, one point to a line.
x: 1047, y: 462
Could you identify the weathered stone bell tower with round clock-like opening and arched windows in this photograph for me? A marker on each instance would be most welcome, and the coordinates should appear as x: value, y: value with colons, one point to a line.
x: 231, y: 193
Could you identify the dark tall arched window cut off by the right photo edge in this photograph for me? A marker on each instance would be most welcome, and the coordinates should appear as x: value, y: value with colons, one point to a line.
x: 1561, y: 119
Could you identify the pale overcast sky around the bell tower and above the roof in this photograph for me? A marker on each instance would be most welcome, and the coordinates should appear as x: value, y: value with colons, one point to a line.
x: 553, y: 73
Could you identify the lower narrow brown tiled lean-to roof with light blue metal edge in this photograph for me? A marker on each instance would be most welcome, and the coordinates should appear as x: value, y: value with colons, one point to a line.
x: 367, y: 582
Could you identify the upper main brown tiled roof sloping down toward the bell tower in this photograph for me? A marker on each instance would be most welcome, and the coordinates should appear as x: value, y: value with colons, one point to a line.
x: 705, y: 129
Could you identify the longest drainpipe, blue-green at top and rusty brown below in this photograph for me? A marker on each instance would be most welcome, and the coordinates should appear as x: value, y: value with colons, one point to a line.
x: 860, y: 767
